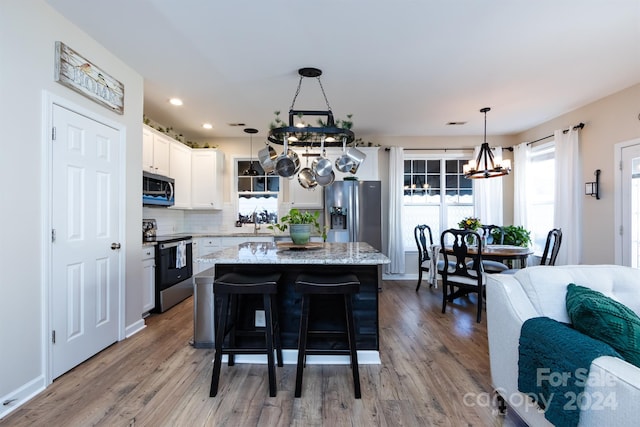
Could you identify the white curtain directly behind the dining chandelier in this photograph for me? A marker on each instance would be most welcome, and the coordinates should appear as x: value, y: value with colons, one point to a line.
x: 487, y: 194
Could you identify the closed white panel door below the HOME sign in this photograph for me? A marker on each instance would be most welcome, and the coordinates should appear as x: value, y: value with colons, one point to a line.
x: 85, y: 222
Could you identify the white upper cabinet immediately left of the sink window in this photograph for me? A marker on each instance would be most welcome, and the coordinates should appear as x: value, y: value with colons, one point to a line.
x: 206, y: 179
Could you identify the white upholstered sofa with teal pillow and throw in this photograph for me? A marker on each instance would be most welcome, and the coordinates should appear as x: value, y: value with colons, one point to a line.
x: 540, y: 291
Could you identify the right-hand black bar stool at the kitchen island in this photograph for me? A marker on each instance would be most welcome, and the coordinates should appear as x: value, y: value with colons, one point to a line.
x: 342, y: 284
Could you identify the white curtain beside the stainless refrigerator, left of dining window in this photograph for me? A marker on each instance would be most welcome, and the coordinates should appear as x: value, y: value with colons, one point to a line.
x: 395, y: 250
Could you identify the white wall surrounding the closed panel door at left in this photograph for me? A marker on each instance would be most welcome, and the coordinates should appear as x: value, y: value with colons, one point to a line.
x: 28, y: 31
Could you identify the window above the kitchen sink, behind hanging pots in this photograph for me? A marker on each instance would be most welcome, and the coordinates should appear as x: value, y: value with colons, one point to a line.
x: 257, y: 194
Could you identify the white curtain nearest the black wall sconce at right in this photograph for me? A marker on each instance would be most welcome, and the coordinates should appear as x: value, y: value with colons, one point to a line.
x: 568, y: 196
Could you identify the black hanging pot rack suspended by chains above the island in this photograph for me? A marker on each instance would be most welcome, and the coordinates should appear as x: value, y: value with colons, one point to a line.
x: 300, y: 133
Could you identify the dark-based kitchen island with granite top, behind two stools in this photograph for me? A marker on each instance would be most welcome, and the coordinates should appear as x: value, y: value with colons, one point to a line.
x: 290, y: 260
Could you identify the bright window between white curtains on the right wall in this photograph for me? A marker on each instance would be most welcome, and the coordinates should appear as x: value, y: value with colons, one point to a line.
x: 540, y: 194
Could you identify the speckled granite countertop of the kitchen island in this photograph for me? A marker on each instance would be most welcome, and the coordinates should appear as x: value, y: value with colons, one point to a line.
x: 355, y: 253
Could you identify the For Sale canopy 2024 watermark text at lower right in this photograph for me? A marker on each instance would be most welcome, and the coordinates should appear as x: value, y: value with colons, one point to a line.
x: 598, y: 395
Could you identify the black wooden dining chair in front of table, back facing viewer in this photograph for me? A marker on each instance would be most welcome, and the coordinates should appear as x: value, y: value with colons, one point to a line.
x: 462, y: 278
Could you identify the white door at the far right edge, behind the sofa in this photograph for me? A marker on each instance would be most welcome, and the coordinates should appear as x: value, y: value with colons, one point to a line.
x: 630, y: 171
